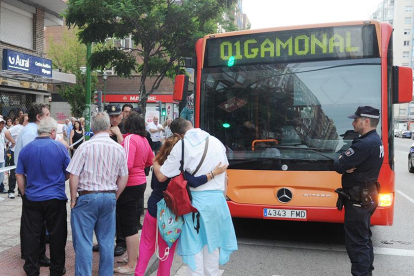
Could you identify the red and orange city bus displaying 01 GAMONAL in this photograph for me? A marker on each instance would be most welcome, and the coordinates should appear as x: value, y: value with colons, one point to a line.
x: 278, y: 99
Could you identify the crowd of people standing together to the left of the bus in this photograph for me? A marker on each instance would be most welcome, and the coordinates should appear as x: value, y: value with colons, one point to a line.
x: 107, y: 181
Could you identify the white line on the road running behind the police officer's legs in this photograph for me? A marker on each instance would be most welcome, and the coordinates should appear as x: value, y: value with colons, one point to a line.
x: 335, y: 248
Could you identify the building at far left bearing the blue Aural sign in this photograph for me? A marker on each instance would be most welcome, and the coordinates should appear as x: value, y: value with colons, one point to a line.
x: 27, y: 76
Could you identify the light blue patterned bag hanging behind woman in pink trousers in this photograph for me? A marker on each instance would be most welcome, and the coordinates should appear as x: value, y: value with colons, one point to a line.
x: 169, y: 226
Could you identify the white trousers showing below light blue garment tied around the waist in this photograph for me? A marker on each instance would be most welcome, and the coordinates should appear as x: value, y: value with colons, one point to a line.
x: 206, y: 264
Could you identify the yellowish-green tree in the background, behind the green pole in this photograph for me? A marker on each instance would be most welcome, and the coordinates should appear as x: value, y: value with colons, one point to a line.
x: 70, y: 56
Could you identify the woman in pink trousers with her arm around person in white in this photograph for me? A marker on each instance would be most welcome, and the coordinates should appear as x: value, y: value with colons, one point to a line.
x: 148, y: 238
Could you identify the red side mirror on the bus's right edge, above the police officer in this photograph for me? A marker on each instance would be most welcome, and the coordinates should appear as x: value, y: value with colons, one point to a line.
x: 403, y: 84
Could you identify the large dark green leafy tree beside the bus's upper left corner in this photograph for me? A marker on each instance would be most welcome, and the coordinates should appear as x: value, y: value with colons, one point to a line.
x: 162, y: 30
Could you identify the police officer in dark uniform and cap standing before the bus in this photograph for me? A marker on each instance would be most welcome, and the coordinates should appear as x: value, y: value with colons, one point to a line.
x: 360, y: 166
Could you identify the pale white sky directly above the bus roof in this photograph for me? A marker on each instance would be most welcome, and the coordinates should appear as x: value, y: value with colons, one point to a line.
x: 276, y: 13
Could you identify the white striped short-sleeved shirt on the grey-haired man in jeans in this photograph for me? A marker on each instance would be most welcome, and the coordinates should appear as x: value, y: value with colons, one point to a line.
x: 98, y: 163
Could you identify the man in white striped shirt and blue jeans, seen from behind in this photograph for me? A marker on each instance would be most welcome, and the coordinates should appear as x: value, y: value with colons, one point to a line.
x: 99, y: 174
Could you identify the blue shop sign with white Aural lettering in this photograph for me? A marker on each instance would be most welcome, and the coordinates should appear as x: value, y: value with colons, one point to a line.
x: 15, y: 61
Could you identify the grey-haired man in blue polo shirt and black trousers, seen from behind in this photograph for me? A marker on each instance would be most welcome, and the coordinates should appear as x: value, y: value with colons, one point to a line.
x: 41, y: 175
